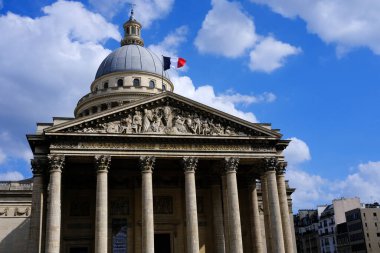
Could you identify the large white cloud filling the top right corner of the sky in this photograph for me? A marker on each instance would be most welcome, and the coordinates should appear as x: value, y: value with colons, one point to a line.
x: 347, y: 23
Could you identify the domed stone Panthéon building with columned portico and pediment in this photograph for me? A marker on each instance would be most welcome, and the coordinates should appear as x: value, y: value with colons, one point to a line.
x: 140, y: 169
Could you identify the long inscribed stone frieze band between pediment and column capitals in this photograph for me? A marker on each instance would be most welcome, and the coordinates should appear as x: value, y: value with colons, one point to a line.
x: 162, y: 146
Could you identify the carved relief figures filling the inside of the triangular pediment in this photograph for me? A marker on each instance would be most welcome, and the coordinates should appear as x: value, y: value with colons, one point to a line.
x: 162, y: 119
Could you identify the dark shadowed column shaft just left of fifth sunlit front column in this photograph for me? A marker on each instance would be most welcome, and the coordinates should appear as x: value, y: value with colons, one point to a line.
x: 217, y: 212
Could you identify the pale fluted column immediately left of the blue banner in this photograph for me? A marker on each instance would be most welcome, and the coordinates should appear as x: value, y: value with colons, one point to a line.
x: 101, y: 213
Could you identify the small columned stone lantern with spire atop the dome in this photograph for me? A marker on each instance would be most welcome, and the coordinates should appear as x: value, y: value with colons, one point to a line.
x: 132, y: 32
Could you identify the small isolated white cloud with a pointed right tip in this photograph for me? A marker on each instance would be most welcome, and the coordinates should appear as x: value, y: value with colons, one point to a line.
x: 270, y: 54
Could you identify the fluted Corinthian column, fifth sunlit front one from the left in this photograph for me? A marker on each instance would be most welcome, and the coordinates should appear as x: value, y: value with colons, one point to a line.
x: 236, y: 243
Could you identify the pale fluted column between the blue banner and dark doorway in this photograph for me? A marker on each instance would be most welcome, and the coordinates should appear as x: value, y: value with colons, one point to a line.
x: 146, y: 165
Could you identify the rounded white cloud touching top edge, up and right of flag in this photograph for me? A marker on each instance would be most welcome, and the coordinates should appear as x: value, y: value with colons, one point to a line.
x: 226, y: 30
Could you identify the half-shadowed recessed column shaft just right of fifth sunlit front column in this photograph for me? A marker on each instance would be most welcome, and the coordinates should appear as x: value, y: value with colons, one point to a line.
x: 255, y: 221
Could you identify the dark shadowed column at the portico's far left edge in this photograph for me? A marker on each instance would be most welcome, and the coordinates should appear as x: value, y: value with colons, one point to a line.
x: 35, y: 232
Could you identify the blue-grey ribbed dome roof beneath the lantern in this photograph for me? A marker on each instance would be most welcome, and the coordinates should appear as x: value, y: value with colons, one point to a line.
x: 131, y: 58
